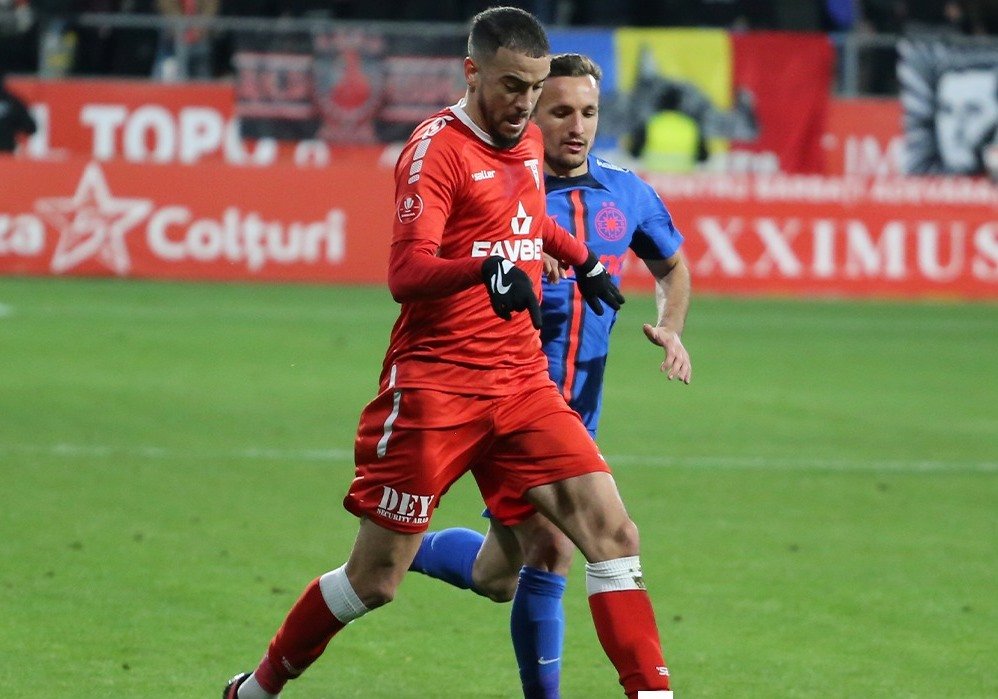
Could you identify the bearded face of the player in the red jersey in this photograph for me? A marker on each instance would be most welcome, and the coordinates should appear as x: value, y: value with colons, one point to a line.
x: 503, y: 92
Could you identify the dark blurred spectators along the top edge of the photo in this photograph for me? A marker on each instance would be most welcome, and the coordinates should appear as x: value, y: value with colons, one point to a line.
x: 41, y: 36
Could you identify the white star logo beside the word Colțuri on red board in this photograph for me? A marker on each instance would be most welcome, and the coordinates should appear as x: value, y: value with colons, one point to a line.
x: 92, y: 223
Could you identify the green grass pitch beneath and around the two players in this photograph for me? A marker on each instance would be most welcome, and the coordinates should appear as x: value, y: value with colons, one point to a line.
x: 819, y: 509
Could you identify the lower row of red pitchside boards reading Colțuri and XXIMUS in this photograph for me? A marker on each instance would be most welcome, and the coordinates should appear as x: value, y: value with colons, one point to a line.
x: 765, y: 234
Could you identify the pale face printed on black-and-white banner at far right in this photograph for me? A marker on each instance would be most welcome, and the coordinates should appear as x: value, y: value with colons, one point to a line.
x: 966, y: 111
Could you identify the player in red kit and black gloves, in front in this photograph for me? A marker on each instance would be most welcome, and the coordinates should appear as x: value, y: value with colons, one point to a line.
x: 465, y: 386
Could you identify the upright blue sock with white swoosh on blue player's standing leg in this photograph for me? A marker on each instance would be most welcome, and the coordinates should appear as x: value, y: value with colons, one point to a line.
x: 537, y: 624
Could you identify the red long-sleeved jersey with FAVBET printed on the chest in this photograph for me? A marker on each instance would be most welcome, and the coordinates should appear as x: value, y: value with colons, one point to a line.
x: 460, y: 199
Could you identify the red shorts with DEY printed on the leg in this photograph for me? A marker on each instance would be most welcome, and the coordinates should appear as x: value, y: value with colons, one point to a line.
x: 414, y: 443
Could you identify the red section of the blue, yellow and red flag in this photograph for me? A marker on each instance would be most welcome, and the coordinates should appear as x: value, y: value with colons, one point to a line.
x: 789, y: 76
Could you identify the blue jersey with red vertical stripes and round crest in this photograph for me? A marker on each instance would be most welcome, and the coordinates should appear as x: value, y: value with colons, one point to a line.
x: 611, y: 209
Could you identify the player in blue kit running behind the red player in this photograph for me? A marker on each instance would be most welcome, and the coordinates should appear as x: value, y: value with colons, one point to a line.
x: 613, y: 210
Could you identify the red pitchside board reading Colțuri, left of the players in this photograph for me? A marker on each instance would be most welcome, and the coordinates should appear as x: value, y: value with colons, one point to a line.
x: 213, y: 222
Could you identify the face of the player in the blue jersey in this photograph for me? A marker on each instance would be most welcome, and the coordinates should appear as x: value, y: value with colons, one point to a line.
x: 568, y: 113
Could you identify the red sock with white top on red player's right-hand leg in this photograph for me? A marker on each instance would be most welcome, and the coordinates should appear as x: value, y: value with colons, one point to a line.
x: 625, y: 624
